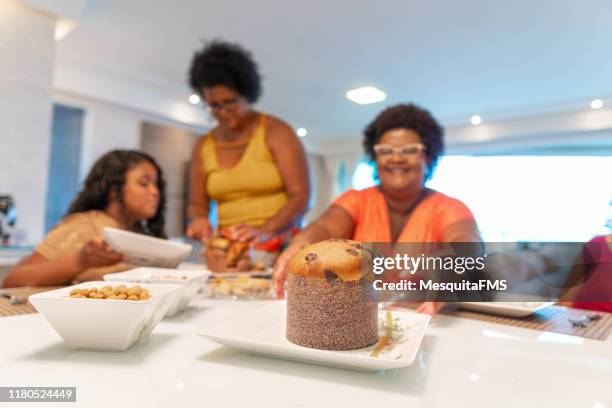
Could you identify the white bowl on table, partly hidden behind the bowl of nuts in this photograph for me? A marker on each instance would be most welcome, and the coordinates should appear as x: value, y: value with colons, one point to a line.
x: 189, y: 286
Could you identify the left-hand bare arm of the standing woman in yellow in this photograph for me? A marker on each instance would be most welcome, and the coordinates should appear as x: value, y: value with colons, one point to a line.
x: 199, y: 227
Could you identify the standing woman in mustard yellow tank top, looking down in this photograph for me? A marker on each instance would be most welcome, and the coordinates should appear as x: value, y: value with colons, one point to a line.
x: 251, y: 164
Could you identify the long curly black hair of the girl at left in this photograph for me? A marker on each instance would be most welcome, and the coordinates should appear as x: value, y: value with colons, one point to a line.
x: 107, y: 177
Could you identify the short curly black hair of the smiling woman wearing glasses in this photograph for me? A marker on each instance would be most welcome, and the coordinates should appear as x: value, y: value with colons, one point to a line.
x: 407, y: 116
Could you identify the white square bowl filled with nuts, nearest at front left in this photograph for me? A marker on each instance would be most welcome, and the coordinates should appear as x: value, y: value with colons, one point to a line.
x: 103, y: 324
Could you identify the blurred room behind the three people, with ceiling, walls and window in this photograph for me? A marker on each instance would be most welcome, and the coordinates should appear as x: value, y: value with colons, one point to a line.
x: 524, y: 90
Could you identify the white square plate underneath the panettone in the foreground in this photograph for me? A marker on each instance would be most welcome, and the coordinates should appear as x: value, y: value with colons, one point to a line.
x: 262, y: 331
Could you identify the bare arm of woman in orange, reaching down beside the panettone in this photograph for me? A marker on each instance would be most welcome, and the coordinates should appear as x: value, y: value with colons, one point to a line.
x: 336, y: 222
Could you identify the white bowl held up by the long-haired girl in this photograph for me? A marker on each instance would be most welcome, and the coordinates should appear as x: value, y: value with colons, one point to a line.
x: 144, y: 250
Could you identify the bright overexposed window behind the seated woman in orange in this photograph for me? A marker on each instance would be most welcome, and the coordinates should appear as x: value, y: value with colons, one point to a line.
x: 525, y: 198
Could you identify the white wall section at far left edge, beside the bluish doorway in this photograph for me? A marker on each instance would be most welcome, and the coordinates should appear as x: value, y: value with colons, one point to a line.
x: 27, y: 53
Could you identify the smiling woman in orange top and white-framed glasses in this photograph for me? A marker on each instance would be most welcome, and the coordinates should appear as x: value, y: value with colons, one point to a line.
x: 405, y: 141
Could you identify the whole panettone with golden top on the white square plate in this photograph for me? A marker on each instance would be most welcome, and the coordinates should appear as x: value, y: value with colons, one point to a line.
x: 330, y: 302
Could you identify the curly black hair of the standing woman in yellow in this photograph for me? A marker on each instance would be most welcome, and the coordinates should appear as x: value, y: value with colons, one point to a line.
x: 223, y: 63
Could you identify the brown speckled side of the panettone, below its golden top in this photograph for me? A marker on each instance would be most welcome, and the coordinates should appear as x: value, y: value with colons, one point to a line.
x: 330, y: 314
